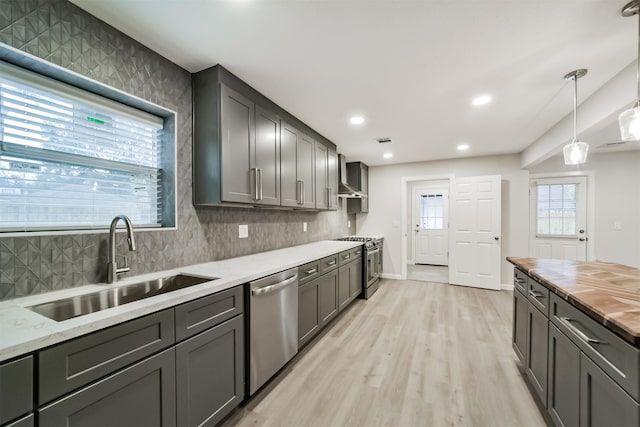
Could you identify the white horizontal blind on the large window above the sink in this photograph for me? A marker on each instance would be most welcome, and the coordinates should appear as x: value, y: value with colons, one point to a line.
x: 73, y: 159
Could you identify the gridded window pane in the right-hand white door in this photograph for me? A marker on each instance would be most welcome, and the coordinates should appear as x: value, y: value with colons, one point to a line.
x: 556, y: 210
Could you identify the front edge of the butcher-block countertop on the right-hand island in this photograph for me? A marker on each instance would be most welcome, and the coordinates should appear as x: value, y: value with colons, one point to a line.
x: 611, y: 324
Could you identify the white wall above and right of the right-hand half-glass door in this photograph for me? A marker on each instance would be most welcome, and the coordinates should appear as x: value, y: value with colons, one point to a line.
x: 617, y: 199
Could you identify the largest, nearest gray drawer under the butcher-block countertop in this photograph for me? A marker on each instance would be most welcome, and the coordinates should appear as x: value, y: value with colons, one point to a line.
x: 619, y: 359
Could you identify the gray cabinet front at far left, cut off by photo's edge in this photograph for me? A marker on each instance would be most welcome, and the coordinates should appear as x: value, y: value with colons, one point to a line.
x: 16, y: 388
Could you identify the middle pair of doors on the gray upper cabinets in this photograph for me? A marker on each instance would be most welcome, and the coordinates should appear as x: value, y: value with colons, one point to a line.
x: 297, y: 168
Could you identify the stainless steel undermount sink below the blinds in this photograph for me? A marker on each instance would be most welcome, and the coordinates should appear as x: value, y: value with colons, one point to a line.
x: 67, y: 308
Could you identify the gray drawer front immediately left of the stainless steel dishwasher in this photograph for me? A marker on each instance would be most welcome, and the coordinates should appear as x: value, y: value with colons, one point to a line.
x: 196, y: 316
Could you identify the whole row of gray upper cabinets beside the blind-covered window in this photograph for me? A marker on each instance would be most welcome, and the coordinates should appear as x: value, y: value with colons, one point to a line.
x: 249, y: 151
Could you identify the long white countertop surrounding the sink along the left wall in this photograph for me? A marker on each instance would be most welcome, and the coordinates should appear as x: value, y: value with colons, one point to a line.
x: 23, y: 331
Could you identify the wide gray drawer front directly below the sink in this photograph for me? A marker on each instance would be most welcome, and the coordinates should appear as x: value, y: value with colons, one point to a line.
x: 77, y: 362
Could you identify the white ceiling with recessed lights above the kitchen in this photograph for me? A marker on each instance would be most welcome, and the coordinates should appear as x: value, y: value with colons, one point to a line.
x: 411, y: 68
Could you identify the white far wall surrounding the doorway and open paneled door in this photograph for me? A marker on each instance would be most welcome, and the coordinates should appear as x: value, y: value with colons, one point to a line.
x: 385, y: 190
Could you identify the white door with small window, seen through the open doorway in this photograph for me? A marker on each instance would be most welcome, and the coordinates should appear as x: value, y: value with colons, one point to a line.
x: 431, y: 237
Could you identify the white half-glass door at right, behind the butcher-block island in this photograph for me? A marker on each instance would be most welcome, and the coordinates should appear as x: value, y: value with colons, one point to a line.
x: 558, y: 218
